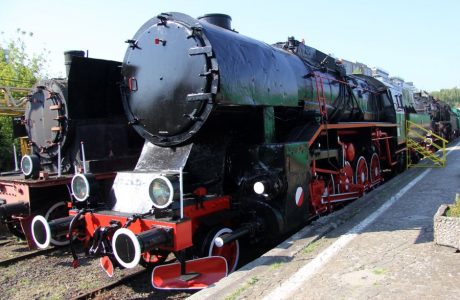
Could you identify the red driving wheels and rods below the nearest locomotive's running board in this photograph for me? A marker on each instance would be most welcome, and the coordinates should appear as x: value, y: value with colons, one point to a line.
x: 348, y: 160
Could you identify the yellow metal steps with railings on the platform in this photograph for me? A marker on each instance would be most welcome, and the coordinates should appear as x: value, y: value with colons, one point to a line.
x: 430, y: 146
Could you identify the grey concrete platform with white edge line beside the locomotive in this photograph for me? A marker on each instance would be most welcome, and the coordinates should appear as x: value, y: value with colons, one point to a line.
x: 381, y: 246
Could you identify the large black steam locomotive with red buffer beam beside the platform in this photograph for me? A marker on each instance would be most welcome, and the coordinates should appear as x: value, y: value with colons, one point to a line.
x: 243, y: 141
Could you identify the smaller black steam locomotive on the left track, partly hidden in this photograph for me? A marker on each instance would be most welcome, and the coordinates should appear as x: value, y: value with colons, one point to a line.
x: 72, y: 124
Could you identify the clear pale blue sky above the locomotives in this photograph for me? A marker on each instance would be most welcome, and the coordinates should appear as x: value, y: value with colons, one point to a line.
x: 416, y: 40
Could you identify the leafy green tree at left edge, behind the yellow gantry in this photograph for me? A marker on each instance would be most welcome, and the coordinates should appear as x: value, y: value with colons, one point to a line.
x: 17, y: 69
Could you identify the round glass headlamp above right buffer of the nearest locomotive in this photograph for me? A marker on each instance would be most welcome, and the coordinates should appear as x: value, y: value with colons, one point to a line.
x: 163, y: 191
